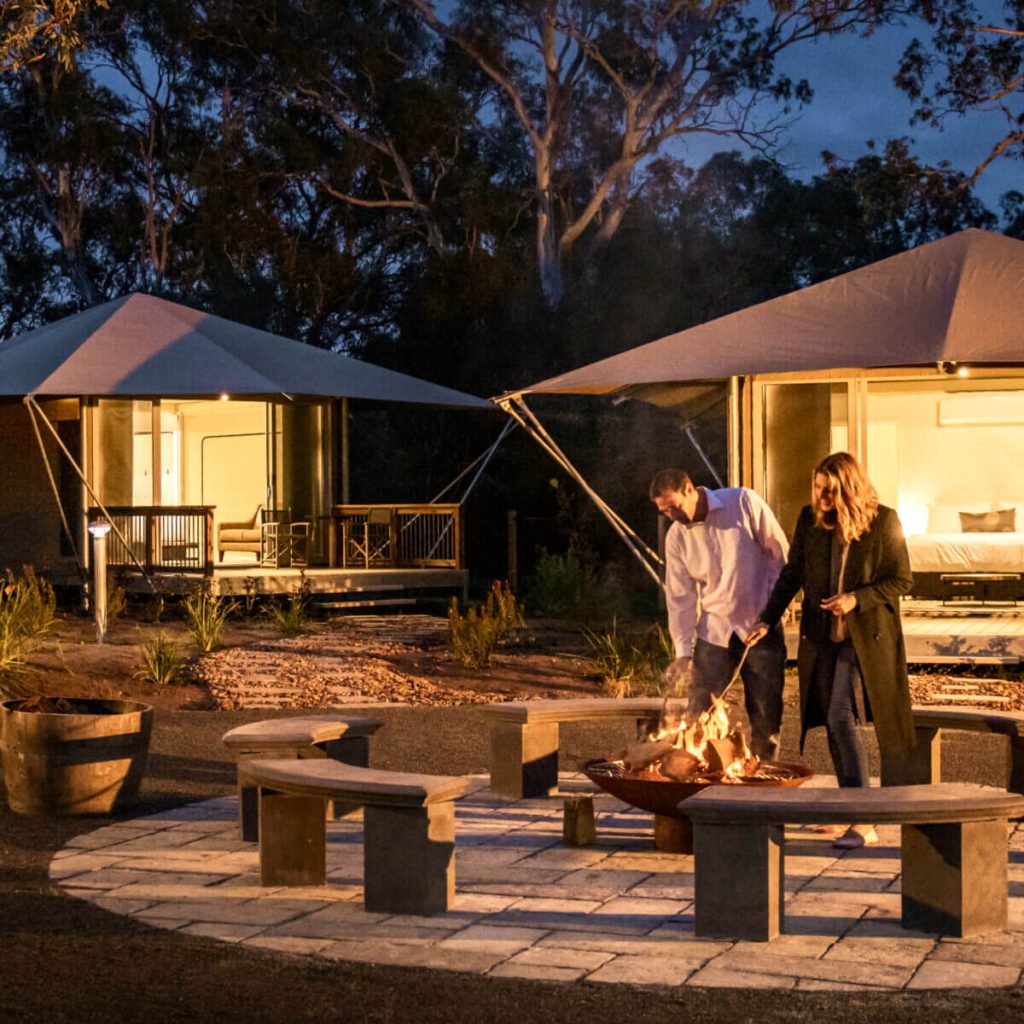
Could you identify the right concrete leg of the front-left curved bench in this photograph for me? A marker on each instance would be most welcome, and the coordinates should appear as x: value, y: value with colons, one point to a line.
x: 409, y: 859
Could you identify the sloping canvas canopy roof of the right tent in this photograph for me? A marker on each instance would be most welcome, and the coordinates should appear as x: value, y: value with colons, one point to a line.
x: 960, y: 300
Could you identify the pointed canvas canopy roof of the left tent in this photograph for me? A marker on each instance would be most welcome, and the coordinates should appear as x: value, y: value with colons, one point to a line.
x: 143, y: 346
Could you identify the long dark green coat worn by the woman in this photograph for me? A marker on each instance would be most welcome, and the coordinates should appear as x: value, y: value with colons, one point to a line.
x: 878, y: 573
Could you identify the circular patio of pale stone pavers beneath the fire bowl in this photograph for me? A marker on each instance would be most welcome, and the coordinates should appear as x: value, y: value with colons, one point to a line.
x: 530, y: 908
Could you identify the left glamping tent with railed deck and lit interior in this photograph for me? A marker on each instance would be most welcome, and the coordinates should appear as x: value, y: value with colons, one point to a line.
x: 208, y: 445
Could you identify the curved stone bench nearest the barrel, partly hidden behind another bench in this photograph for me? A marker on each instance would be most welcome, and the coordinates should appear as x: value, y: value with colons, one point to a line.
x: 339, y: 738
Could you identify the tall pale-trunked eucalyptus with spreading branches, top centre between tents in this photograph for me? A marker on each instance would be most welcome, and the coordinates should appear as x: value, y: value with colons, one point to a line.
x: 599, y: 90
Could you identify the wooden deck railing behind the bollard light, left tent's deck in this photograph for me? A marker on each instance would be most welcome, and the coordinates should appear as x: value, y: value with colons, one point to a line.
x: 162, y: 538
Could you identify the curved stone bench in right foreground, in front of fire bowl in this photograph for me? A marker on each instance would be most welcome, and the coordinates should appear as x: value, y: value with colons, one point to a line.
x: 954, y: 852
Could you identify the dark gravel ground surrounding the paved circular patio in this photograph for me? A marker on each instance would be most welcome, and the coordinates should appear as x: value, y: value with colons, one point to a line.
x: 63, y: 961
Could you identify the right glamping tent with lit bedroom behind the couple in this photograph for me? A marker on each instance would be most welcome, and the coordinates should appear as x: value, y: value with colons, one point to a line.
x: 916, y: 364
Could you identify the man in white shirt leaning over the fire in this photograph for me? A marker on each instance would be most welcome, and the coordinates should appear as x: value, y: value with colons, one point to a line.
x: 723, y: 553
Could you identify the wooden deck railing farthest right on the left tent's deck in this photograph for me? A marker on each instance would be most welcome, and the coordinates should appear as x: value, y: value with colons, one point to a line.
x: 397, y: 537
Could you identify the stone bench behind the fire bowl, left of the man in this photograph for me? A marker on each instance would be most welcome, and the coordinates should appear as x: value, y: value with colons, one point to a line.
x: 525, y: 738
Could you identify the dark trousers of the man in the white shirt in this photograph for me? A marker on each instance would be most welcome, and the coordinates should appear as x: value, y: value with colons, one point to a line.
x: 763, y: 675
